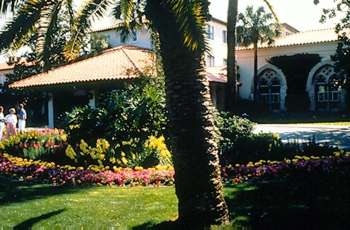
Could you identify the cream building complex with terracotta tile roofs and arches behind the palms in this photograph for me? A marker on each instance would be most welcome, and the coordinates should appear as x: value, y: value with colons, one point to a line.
x: 83, y: 79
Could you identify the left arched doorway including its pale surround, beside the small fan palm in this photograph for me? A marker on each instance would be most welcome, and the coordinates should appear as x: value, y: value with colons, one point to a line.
x: 272, y: 88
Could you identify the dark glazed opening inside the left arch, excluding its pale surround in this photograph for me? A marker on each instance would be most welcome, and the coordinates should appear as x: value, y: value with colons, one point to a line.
x: 269, y: 89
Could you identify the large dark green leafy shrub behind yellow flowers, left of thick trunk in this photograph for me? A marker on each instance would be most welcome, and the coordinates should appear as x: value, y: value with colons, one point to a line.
x: 126, y: 118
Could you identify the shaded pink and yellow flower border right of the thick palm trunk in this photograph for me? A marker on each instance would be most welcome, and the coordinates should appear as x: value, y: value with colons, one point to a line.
x: 262, y: 169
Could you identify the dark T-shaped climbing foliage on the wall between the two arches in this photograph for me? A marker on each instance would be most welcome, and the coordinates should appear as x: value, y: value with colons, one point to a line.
x: 296, y: 69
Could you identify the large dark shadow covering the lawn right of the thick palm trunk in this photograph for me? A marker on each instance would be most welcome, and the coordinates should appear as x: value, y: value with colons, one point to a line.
x: 300, y: 201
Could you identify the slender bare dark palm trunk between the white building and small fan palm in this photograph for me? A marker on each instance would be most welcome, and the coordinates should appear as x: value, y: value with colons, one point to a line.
x: 231, y: 87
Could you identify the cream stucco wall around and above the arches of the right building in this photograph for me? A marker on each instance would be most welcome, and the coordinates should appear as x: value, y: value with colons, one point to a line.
x: 245, y: 60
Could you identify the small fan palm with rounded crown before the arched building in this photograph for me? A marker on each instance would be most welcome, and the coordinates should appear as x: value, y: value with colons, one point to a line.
x: 256, y: 27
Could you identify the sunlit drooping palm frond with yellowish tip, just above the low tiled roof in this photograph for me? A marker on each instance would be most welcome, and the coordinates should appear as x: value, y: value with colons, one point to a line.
x: 91, y: 10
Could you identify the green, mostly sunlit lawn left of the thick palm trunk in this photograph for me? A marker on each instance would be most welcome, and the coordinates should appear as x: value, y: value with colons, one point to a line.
x: 88, y: 207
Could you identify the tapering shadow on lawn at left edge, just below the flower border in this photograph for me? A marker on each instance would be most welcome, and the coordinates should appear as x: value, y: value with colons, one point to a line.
x: 13, y: 191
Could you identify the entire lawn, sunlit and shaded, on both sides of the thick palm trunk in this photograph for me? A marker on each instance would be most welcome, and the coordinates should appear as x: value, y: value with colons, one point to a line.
x: 291, y: 202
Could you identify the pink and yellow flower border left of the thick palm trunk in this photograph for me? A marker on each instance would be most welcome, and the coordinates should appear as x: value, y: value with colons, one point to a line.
x: 29, y: 170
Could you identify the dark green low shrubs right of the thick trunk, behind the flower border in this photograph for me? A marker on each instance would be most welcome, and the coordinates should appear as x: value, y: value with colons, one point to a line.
x: 240, y: 145
